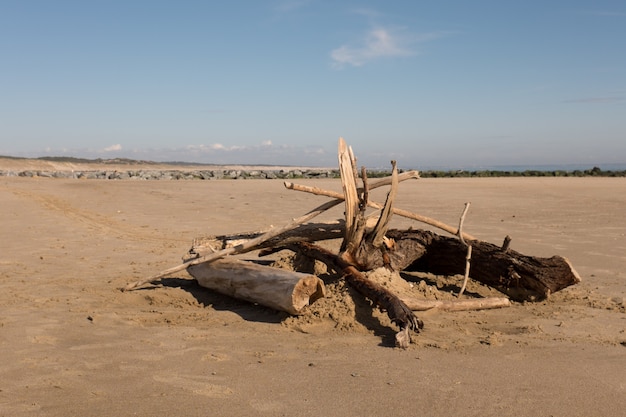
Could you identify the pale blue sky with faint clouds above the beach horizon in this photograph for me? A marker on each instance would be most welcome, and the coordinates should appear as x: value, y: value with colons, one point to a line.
x: 431, y: 84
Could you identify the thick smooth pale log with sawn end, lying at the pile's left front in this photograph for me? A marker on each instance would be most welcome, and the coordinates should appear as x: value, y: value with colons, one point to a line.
x: 271, y: 287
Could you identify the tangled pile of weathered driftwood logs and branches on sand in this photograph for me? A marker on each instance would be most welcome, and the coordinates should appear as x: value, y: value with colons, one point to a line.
x: 367, y: 244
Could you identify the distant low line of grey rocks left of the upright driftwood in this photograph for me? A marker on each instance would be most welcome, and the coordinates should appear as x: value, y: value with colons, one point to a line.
x: 174, y: 174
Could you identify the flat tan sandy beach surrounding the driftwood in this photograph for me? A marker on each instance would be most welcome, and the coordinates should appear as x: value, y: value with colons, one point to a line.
x: 72, y: 344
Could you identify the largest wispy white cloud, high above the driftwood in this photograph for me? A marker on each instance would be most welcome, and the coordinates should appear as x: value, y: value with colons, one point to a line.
x: 378, y: 43
